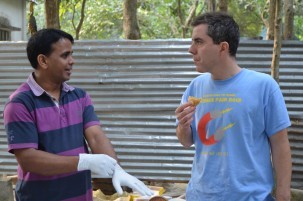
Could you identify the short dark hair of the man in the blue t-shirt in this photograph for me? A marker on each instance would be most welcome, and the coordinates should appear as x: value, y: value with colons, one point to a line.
x: 221, y: 27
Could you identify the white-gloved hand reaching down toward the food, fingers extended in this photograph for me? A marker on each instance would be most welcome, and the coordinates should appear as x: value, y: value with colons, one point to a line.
x: 122, y: 178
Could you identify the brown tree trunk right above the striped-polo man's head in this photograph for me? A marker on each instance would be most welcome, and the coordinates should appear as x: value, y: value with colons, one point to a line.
x: 52, y: 13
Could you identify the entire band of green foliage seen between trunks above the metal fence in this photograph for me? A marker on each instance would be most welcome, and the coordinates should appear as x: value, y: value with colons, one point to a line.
x: 157, y: 19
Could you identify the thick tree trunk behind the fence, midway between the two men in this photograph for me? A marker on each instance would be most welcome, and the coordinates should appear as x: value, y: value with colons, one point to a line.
x: 130, y: 24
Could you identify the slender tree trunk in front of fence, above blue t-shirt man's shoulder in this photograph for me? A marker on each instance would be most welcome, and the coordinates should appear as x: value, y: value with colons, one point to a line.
x: 277, y: 41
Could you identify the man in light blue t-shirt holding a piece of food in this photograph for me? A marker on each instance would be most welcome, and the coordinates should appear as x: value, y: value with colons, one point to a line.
x: 238, y: 127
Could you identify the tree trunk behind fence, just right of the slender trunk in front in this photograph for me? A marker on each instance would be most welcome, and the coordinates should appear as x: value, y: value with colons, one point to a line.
x: 288, y: 33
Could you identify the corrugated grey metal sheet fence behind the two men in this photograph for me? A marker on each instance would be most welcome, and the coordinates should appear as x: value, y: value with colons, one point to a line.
x: 137, y: 85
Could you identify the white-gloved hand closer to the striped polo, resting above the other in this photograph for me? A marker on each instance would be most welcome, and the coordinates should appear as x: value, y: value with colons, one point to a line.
x: 101, y: 165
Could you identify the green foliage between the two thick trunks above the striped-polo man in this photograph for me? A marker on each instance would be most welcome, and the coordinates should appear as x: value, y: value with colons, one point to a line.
x: 103, y: 18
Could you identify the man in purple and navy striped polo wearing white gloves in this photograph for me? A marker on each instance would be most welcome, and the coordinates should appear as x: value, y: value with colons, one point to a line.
x: 48, y: 124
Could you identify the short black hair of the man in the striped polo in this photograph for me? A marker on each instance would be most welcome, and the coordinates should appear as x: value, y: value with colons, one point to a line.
x: 41, y: 43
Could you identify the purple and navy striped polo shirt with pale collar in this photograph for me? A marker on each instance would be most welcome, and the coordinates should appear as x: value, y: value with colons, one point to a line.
x: 33, y: 120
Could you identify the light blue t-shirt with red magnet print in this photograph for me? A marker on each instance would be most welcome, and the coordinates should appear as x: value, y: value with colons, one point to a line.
x: 231, y: 131
